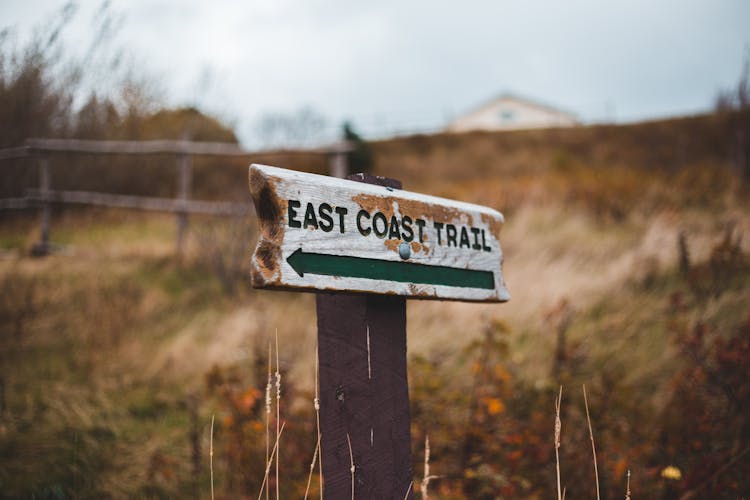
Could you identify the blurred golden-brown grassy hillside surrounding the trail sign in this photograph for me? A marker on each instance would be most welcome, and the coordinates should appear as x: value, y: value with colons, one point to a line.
x: 115, y: 355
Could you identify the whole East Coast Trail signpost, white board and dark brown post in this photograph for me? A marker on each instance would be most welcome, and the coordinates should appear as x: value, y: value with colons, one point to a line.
x: 365, y: 247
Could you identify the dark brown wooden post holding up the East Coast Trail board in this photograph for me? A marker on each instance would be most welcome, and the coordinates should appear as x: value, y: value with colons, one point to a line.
x: 364, y: 394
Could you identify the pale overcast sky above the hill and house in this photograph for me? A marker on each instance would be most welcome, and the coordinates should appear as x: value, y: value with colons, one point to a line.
x: 412, y: 64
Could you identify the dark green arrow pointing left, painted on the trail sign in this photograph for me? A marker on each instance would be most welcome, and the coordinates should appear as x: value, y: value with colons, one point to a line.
x: 403, y: 272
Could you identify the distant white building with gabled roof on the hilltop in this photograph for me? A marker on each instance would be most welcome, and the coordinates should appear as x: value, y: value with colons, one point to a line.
x: 511, y: 112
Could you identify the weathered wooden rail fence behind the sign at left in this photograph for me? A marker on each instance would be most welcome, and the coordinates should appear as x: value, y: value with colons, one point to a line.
x: 44, y: 196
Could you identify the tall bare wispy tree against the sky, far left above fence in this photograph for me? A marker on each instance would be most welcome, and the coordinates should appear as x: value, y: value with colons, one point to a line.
x: 46, y: 90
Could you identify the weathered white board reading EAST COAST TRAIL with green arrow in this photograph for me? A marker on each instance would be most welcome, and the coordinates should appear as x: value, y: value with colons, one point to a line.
x: 320, y: 233
